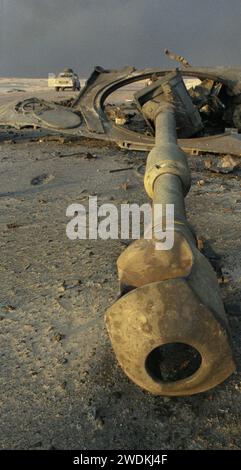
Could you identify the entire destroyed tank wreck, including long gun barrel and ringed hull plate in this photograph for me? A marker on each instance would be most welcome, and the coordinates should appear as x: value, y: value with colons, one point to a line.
x: 169, y: 300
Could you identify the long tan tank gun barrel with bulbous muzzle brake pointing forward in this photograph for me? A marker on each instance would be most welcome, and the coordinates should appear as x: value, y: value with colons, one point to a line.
x: 173, y: 296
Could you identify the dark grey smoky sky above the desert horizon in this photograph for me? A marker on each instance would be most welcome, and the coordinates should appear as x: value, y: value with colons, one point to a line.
x: 41, y: 36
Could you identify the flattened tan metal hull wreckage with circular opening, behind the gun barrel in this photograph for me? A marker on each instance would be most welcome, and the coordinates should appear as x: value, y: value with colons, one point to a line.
x: 87, y: 117
